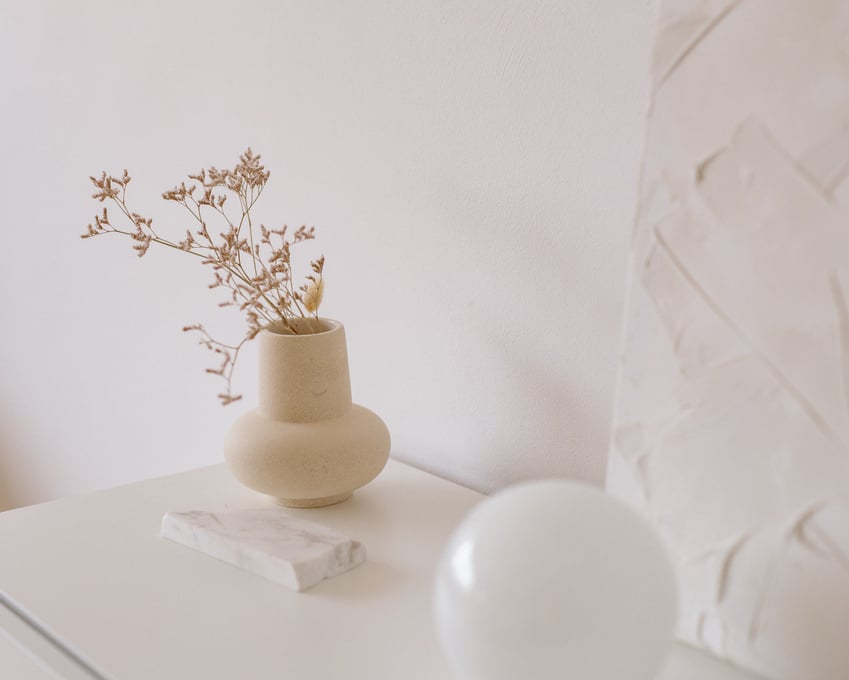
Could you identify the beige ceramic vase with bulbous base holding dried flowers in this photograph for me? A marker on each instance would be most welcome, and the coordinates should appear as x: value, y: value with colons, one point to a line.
x: 307, y: 444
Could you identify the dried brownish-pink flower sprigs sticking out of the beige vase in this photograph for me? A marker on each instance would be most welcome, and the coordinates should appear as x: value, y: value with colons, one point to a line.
x: 253, y: 266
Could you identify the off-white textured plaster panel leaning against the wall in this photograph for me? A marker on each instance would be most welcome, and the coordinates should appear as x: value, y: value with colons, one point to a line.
x: 732, y: 422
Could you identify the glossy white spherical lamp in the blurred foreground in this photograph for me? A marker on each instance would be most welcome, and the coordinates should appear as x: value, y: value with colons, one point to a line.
x: 554, y: 579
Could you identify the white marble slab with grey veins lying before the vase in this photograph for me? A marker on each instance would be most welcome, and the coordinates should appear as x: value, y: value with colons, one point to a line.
x: 267, y: 542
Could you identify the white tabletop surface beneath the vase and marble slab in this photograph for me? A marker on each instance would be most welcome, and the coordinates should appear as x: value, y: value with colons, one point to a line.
x: 89, y: 590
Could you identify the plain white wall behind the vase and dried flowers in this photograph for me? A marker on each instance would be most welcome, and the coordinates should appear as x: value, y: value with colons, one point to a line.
x: 471, y: 171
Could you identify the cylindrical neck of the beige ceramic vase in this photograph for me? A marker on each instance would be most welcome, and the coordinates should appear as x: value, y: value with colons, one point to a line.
x: 304, y: 376
